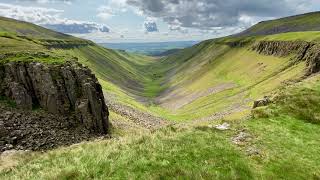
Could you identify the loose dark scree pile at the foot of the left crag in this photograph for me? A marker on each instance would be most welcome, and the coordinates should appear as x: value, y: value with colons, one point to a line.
x: 38, y: 130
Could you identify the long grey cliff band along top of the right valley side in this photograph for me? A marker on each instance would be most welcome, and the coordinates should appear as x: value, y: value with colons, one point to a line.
x: 300, y: 50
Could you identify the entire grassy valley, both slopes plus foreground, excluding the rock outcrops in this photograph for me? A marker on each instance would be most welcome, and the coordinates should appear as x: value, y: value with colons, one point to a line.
x: 213, y: 82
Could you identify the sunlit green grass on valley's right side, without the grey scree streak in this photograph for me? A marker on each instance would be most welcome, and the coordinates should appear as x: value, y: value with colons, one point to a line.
x: 253, y: 76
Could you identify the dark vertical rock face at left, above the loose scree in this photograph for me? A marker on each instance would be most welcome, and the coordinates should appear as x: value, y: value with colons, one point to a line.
x: 69, y: 90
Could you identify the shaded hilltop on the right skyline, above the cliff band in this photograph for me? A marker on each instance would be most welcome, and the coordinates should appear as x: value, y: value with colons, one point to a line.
x: 298, y: 23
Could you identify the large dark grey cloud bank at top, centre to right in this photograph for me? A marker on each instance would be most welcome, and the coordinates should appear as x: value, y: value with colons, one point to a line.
x: 208, y: 14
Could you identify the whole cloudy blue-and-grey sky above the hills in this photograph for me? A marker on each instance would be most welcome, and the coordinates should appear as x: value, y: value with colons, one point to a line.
x: 151, y: 20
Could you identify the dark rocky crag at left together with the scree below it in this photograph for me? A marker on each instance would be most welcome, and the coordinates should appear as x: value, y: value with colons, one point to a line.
x: 68, y: 95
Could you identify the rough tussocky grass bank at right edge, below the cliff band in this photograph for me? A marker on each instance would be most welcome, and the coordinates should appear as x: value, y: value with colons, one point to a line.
x: 300, y: 101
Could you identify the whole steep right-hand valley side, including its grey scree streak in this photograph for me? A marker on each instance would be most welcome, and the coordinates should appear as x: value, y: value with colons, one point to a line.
x: 222, y: 77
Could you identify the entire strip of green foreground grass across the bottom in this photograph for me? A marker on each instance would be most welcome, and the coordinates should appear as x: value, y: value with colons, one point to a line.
x: 184, y: 151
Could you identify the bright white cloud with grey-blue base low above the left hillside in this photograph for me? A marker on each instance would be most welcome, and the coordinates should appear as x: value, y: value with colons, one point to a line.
x: 50, y: 18
